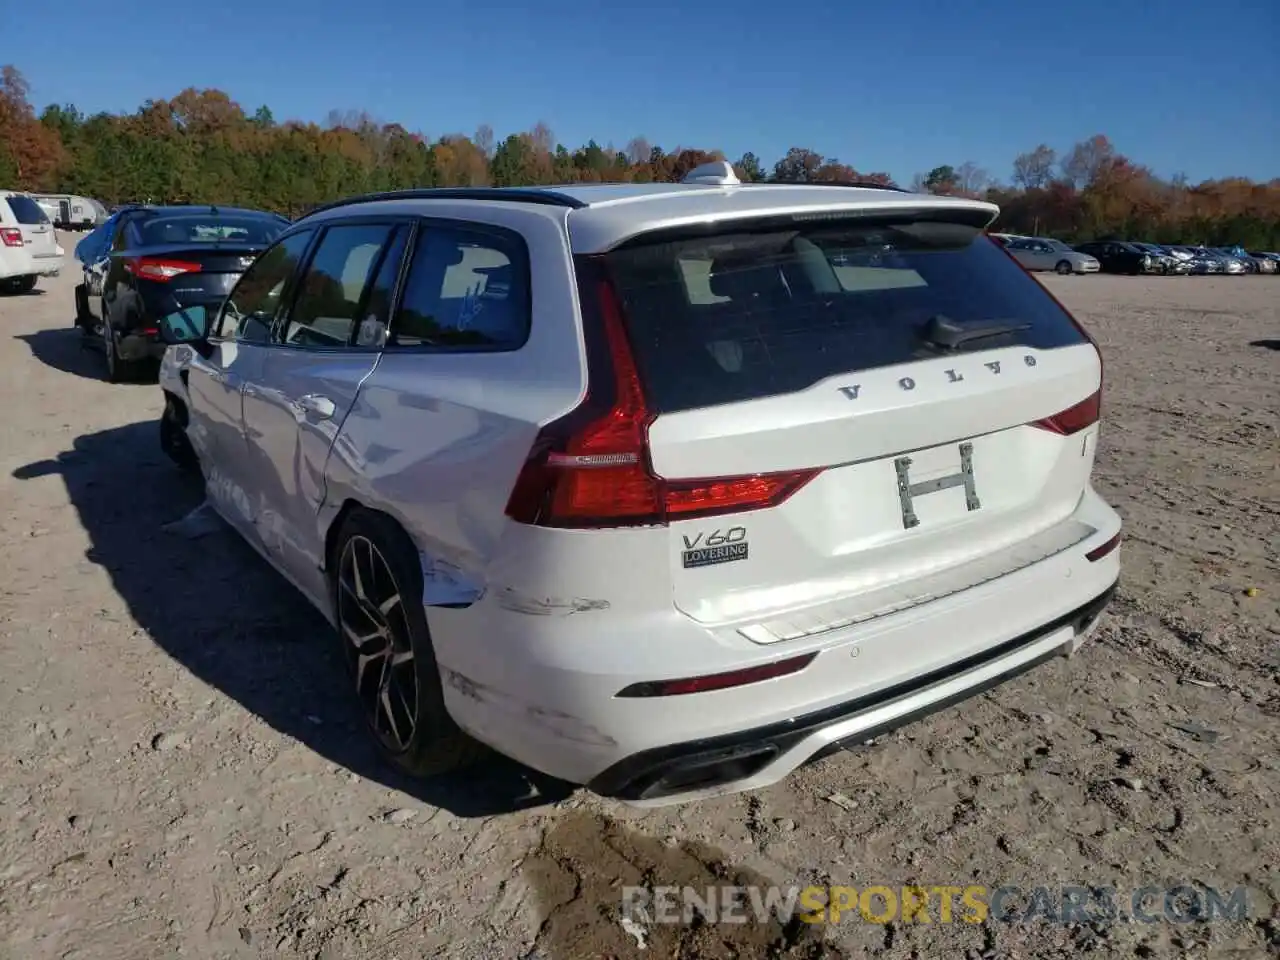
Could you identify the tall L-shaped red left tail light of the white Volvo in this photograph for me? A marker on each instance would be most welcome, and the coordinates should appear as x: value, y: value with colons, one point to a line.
x: 592, y: 469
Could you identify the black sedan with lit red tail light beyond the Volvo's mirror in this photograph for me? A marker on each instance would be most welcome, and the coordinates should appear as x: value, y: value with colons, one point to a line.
x: 149, y: 263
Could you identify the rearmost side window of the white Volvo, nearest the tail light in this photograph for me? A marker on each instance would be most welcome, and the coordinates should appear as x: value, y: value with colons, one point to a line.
x: 468, y: 289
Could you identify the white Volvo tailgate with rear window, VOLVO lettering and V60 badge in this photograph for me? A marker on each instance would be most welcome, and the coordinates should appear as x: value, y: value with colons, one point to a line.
x: 913, y: 400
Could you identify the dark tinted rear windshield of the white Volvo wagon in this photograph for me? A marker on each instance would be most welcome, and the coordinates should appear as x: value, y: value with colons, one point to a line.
x: 737, y: 317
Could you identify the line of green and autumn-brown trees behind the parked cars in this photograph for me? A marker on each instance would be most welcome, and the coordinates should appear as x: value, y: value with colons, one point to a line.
x: 202, y: 147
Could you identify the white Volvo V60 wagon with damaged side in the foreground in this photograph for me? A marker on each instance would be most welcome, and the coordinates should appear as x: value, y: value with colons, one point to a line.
x: 659, y: 488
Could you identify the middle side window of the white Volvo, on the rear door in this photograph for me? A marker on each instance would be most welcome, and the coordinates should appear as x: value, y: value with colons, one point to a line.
x: 332, y: 291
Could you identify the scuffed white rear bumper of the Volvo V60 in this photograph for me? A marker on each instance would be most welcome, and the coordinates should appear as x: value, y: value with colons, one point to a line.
x: 538, y: 680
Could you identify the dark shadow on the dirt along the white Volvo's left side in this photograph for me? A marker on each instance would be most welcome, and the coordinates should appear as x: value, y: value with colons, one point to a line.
x: 220, y: 610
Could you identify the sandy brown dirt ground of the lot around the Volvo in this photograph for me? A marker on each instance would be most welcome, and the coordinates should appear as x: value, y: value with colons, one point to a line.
x: 185, y: 775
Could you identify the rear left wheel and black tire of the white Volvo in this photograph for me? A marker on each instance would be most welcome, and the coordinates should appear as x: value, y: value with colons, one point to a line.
x: 435, y: 744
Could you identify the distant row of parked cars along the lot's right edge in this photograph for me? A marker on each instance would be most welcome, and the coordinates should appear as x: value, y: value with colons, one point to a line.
x: 1136, y: 258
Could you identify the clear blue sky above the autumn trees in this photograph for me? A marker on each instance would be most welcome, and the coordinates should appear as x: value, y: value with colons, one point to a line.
x: 899, y: 88
